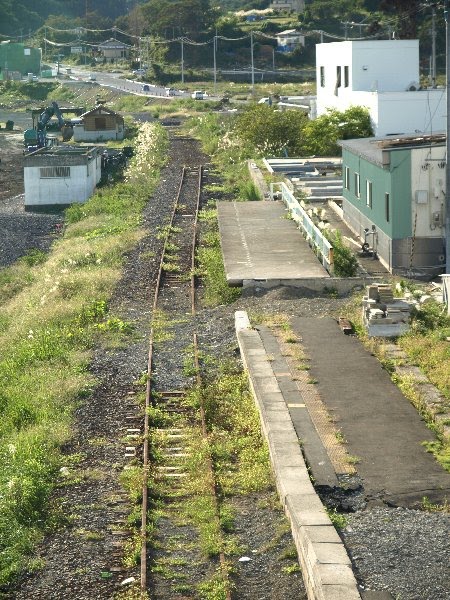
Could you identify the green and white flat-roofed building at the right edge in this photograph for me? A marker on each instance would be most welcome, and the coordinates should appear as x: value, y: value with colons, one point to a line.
x: 394, y: 199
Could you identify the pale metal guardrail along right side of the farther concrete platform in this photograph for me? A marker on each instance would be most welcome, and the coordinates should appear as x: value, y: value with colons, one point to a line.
x: 313, y: 235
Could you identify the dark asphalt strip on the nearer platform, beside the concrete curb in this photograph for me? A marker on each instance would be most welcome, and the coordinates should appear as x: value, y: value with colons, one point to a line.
x: 381, y: 427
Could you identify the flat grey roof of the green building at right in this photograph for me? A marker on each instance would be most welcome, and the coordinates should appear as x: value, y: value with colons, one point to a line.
x: 371, y: 149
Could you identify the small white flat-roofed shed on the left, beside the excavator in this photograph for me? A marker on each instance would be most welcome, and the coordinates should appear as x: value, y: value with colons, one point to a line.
x: 61, y: 175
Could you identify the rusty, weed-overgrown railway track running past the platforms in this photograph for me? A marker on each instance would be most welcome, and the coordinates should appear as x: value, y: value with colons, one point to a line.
x: 177, y: 428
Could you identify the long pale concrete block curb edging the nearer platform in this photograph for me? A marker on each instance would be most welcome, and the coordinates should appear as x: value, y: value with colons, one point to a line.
x: 326, y: 567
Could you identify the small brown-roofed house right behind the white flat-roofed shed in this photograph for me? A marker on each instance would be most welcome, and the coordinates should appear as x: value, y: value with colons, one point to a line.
x: 99, y: 125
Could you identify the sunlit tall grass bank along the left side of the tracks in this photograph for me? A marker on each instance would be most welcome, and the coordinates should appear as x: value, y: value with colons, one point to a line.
x: 48, y: 325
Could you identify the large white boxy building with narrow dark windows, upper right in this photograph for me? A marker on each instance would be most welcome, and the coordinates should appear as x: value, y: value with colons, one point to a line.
x: 382, y: 75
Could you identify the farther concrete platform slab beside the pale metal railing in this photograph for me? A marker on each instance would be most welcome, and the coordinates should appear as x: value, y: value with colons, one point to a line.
x: 260, y: 243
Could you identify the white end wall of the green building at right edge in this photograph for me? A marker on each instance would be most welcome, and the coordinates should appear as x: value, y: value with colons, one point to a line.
x: 428, y: 177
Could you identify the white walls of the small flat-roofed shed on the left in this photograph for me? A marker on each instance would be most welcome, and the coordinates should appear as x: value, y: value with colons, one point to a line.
x: 60, y: 190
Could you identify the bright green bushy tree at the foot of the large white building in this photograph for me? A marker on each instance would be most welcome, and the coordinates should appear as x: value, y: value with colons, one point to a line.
x: 320, y: 136
